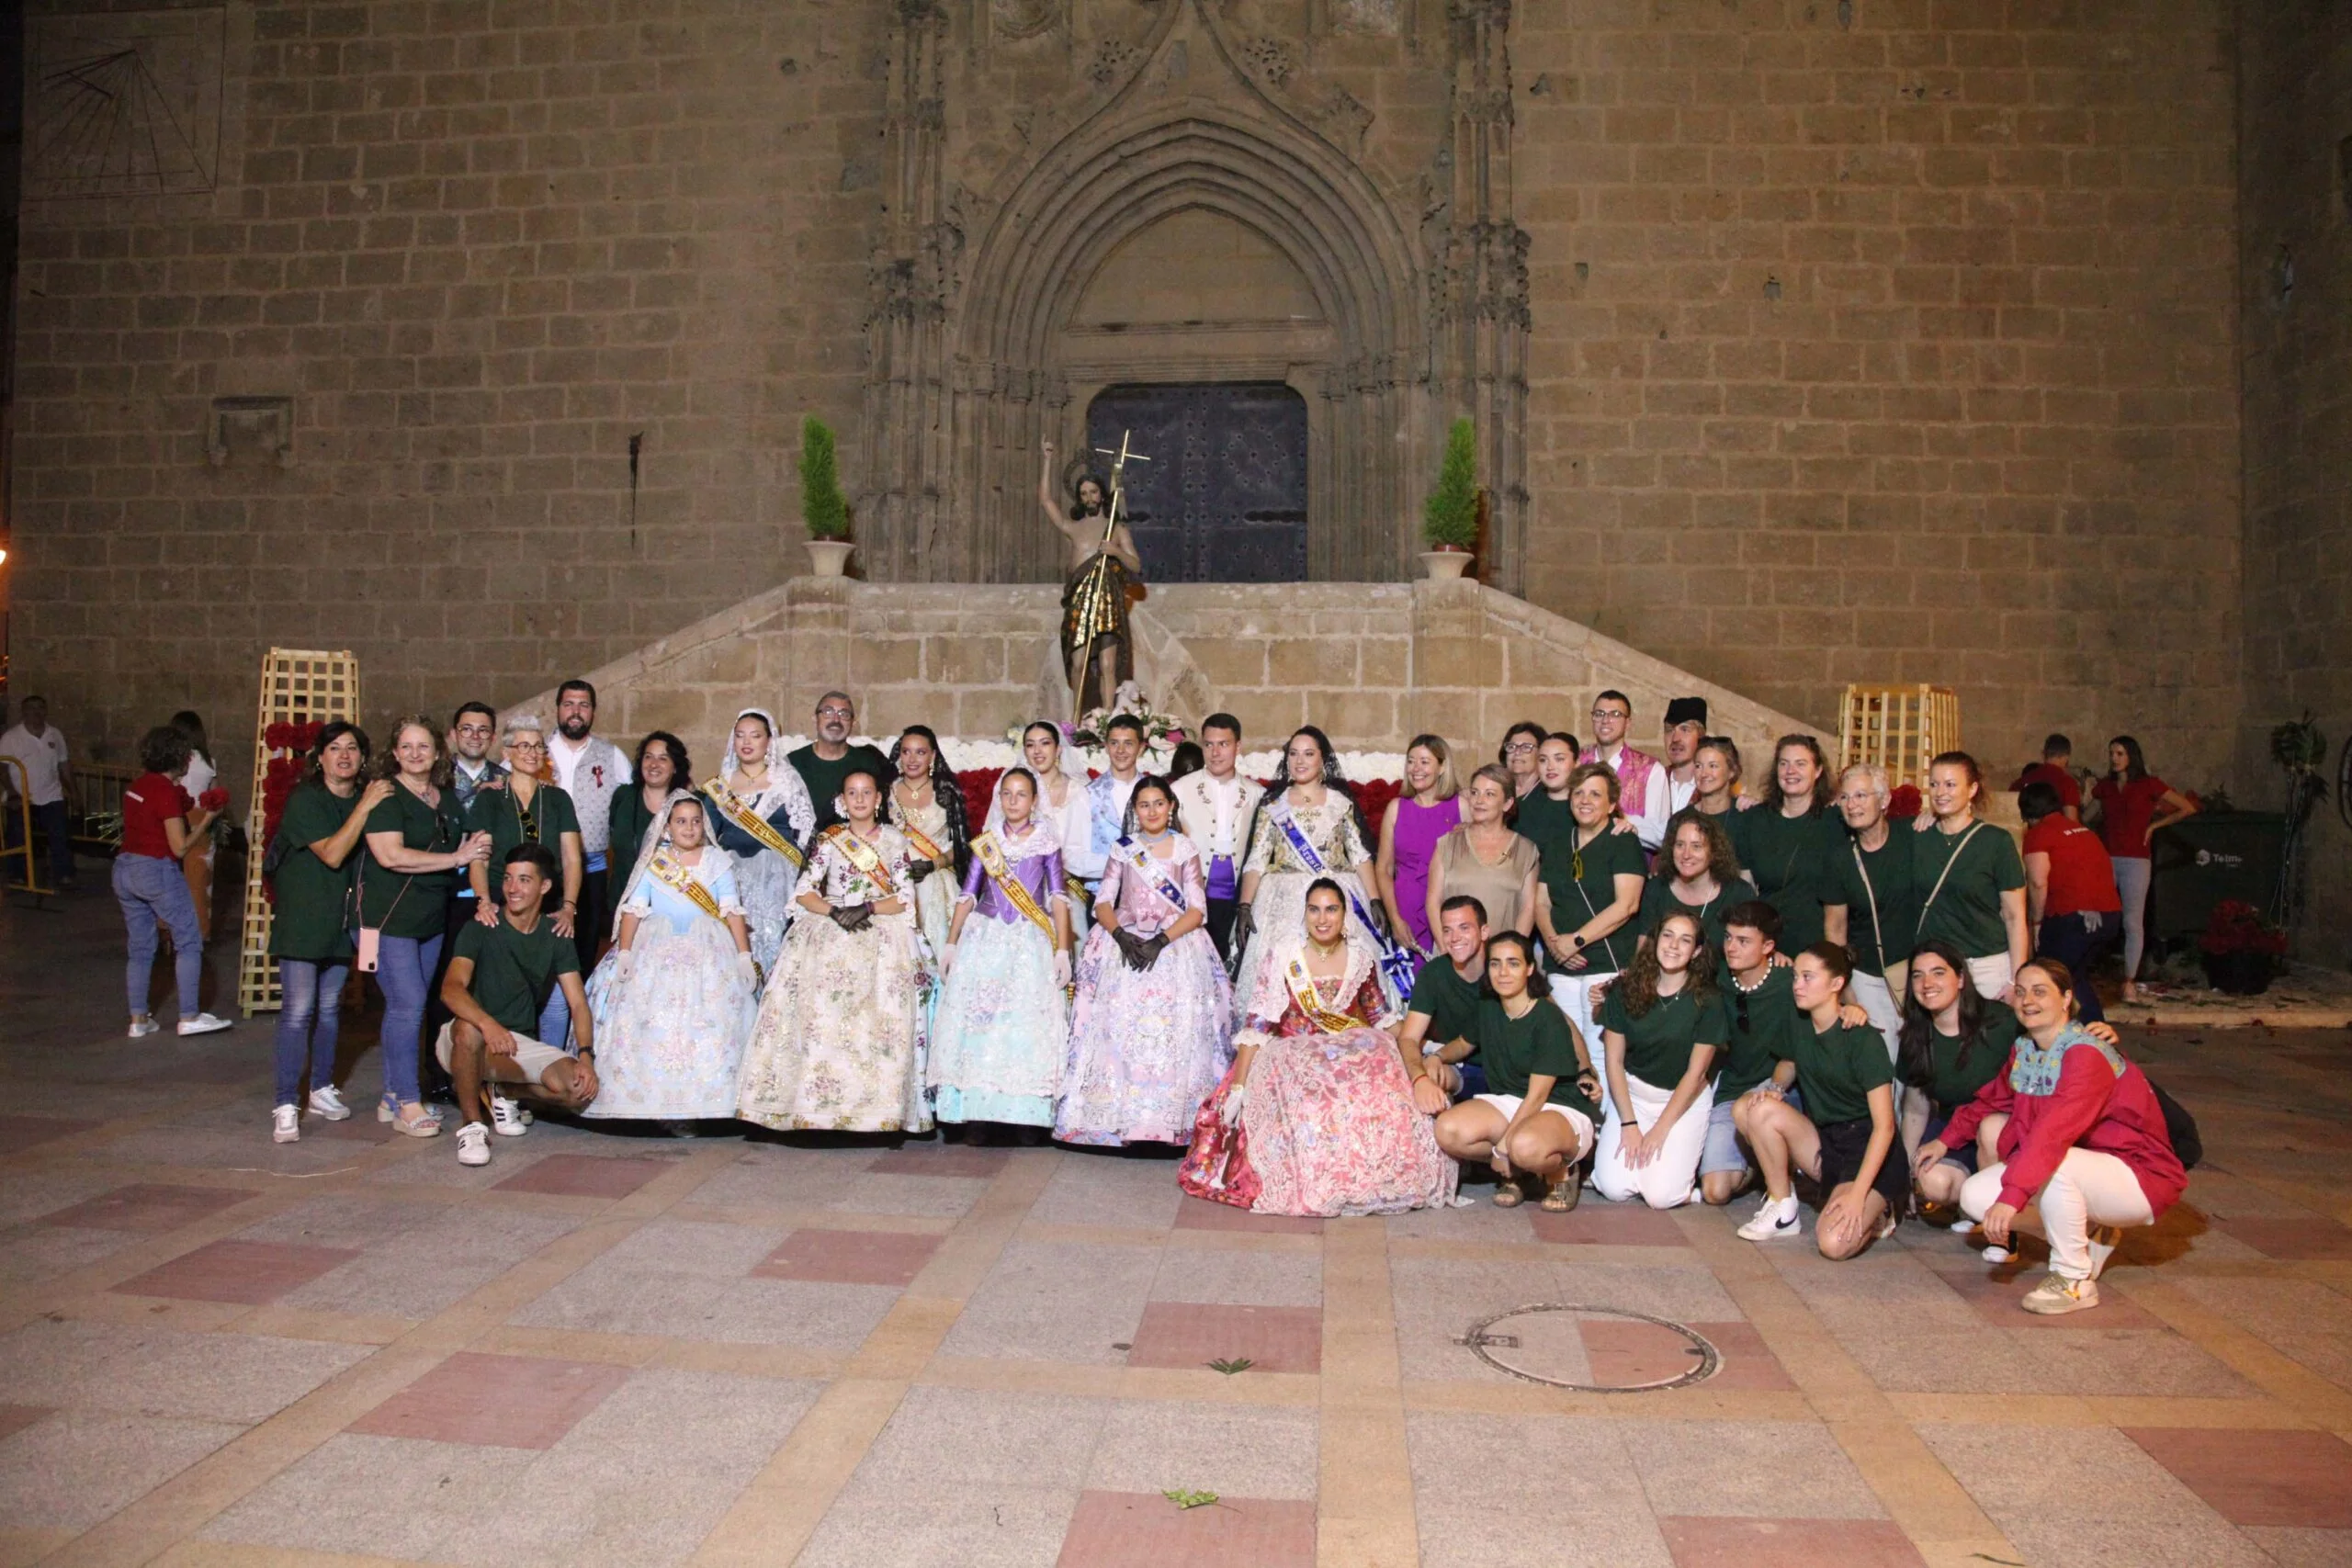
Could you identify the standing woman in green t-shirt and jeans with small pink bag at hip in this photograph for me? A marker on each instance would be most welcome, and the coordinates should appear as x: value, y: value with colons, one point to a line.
x: 417, y: 845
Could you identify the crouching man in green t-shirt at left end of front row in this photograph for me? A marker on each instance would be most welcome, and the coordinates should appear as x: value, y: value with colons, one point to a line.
x: 497, y: 986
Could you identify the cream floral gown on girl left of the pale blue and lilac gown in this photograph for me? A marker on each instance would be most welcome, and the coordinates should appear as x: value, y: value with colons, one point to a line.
x: 841, y: 1036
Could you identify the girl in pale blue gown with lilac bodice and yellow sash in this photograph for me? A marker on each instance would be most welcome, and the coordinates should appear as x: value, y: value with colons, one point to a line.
x: 1003, y: 1021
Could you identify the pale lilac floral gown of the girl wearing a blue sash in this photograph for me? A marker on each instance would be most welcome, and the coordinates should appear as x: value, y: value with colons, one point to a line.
x: 1147, y: 1045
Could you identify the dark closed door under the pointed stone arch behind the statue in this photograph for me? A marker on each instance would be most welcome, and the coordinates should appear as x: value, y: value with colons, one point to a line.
x: 1224, y: 497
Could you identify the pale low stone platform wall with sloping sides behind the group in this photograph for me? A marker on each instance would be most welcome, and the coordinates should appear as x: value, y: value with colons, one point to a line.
x: 1372, y: 664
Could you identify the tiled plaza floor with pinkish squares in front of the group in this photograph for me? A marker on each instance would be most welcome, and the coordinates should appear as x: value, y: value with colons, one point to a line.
x: 636, y: 1351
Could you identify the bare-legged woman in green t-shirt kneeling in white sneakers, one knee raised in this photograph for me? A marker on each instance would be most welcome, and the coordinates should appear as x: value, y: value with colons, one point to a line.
x: 1845, y: 1137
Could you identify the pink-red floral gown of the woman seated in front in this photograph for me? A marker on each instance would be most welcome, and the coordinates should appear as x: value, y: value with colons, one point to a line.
x: 1330, y: 1123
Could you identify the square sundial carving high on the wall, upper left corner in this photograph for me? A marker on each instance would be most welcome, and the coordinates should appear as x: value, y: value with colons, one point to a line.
x: 126, y: 105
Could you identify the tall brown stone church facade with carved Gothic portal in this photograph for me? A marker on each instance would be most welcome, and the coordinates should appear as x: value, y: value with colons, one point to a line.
x: 1808, y: 340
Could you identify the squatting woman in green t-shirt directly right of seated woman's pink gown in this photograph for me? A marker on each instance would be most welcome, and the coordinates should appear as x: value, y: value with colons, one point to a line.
x: 1539, y: 1106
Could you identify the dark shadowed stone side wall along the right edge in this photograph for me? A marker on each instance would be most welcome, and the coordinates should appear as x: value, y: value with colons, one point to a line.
x: 2297, y: 276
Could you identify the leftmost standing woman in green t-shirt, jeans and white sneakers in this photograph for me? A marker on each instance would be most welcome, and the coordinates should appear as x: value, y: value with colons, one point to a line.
x: 309, y: 925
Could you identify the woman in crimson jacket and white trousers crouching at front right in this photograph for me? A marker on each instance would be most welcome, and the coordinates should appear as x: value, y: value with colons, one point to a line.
x: 2083, y: 1139
